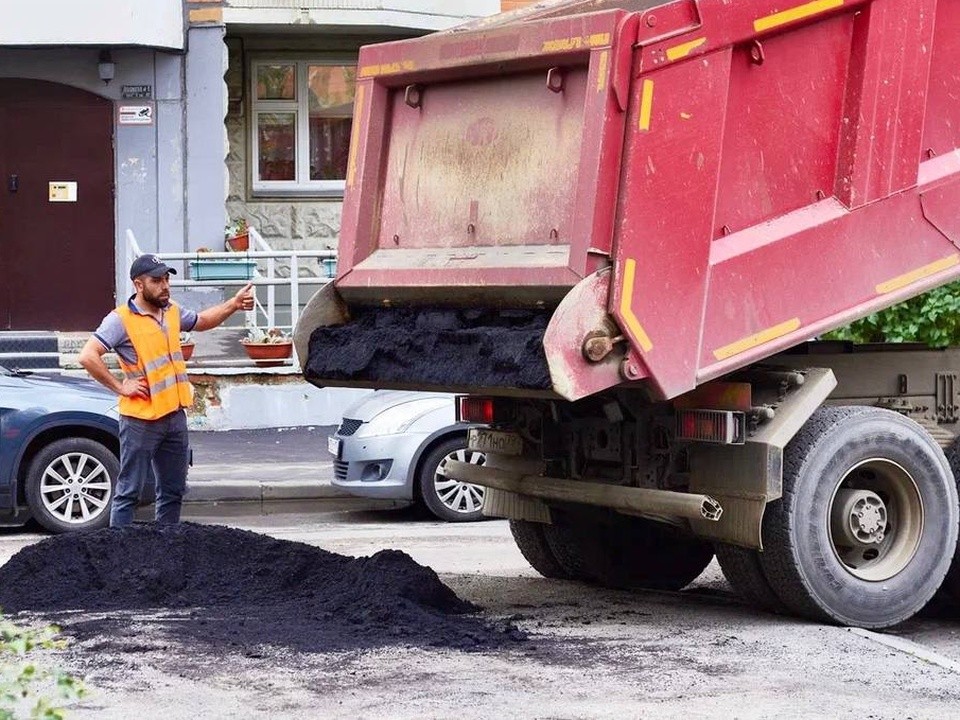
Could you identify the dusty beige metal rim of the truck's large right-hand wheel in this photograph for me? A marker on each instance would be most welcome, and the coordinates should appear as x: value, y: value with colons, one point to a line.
x: 876, y: 519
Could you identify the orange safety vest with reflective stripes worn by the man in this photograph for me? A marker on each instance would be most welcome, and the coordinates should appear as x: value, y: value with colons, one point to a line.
x: 160, y: 360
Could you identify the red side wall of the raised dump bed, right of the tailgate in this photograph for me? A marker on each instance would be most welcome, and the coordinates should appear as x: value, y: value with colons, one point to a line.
x: 800, y: 248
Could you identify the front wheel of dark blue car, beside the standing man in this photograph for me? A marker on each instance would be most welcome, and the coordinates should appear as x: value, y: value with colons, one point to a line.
x: 70, y: 483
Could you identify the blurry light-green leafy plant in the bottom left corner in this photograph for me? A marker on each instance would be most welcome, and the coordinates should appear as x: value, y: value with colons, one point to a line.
x: 27, y: 690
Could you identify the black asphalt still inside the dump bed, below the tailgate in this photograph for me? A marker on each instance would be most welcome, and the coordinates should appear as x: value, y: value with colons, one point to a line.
x: 434, y: 347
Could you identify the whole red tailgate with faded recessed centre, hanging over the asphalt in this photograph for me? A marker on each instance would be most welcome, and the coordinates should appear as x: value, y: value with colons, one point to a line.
x: 485, y: 161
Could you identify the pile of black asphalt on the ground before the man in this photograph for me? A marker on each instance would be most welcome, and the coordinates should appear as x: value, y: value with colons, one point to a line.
x: 231, y: 589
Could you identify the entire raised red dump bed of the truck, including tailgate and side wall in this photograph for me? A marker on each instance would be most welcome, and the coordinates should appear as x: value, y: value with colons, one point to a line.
x: 711, y: 182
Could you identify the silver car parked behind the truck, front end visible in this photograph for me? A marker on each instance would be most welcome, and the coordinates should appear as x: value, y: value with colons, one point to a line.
x: 391, y: 444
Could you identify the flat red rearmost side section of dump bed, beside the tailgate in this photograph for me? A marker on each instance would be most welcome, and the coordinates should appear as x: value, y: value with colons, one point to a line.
x: 671, y: 169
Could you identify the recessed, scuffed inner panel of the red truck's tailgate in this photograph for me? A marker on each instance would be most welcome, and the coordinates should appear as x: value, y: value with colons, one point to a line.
x: 487, y: 162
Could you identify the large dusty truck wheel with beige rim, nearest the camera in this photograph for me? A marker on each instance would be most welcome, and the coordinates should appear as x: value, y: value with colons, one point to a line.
x: 867, y: 525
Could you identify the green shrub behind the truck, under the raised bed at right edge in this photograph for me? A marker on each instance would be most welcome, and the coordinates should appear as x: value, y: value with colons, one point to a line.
x: 932, y: 318
